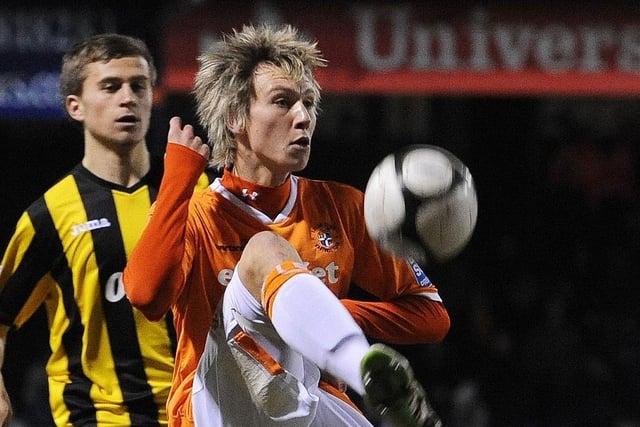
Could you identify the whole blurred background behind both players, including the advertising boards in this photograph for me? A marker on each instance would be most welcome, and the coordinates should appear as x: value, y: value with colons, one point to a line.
x: 541, y: 100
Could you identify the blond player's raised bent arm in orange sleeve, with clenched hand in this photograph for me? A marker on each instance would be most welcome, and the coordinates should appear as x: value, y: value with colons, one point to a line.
x: 153, y: 277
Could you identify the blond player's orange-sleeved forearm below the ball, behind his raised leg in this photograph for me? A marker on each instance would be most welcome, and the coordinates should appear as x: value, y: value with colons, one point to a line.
x: 410, y: 319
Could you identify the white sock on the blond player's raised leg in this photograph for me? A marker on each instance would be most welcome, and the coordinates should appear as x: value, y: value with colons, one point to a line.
x: 313, y: 321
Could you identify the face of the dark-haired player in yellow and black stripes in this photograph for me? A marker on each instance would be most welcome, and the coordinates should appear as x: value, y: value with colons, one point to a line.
x: 116, y: 99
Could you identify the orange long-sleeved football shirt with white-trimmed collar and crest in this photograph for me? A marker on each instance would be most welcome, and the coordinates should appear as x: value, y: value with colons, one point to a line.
x: 201, y: 237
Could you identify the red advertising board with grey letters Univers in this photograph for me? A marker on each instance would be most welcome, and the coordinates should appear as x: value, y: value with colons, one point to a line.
x: 434, y: 48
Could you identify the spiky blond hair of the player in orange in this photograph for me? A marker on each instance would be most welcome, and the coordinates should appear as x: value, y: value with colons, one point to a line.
x: 224, y: 82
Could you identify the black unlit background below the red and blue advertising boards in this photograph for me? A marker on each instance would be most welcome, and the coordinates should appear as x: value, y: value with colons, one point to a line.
x: 543, y: 301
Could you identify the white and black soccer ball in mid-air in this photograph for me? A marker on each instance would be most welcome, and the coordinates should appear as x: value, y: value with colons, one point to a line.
x: 421, y: 203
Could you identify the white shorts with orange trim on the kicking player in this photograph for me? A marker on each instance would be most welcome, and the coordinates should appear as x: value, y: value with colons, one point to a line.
x: 247, y: 376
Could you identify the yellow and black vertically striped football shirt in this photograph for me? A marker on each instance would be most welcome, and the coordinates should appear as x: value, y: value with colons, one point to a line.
x: 109, y: 364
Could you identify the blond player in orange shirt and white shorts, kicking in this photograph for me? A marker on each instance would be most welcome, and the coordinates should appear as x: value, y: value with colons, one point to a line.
x: 257, y: 269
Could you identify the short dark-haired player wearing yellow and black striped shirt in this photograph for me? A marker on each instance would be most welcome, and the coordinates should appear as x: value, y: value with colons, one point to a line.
x: 109, y: 364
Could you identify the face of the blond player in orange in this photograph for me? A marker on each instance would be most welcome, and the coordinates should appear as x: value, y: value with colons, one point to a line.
x: 279, y: 127
